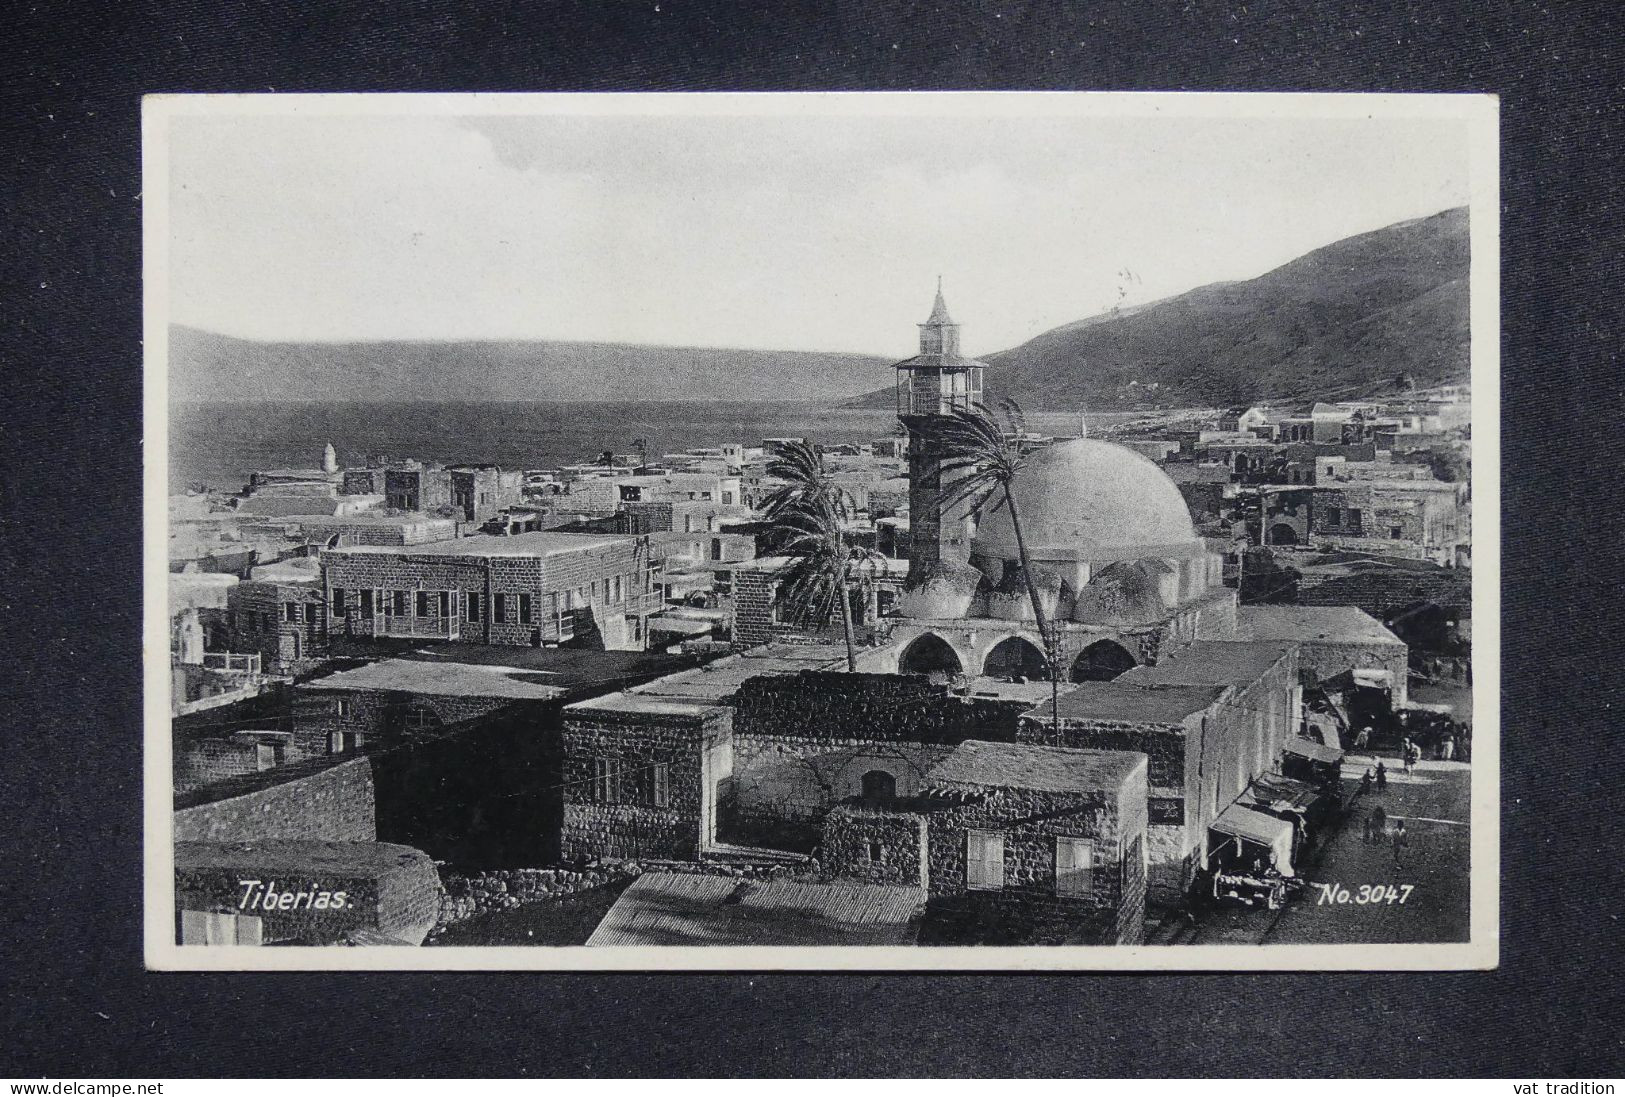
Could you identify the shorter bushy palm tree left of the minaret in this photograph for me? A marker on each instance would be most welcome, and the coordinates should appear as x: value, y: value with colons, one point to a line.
x: 810, y: 514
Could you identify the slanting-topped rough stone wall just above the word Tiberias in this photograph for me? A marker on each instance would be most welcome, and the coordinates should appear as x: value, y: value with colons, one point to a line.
x: 310, y: 800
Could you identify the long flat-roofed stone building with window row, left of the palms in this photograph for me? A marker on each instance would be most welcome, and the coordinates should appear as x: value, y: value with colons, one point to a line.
x: 531, y: 589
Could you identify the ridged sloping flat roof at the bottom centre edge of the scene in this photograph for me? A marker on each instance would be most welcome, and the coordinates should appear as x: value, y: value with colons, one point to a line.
x: 688, y: 909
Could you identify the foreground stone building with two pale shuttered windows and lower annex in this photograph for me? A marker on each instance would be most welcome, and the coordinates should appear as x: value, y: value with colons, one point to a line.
x: 1016, y: 844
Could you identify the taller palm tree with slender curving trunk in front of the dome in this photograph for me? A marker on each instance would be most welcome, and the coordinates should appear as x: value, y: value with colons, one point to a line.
x: 982, y: 462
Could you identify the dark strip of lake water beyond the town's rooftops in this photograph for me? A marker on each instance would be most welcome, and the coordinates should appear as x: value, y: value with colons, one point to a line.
x: 222, y: 444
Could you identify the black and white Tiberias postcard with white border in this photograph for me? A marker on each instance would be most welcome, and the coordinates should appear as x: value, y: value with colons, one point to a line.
x: 821, y: 532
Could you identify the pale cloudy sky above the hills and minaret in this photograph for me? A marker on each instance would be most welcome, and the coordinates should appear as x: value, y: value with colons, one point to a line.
x: 818, y: 230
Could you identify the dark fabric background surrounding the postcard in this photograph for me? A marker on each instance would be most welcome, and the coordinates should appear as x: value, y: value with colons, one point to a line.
x: 77, y: 1002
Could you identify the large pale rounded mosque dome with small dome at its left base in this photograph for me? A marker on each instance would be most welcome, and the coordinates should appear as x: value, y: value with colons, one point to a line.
x: 1091, y: 501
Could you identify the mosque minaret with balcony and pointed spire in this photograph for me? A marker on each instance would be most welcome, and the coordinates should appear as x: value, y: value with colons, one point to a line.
x: 934, y: 386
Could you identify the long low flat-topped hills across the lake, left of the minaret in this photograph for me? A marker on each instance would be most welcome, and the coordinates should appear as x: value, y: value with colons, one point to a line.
x: 217, y: 368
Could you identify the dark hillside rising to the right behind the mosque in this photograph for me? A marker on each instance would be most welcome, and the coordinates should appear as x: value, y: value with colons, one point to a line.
x: 1345, y: 321
